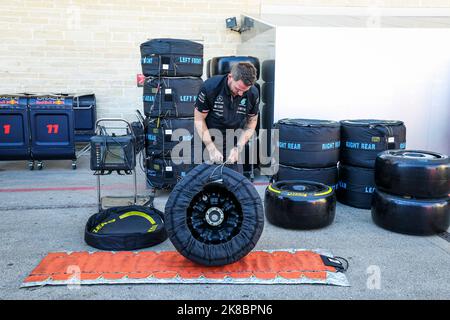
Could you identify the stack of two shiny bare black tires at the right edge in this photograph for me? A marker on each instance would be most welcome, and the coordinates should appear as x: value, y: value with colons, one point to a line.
x: 412, y: 192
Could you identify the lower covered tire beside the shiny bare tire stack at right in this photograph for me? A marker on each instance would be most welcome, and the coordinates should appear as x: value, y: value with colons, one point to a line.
x: 356, y: 186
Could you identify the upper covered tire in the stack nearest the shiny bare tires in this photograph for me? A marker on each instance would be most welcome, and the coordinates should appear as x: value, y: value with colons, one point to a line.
x: 362, y: 140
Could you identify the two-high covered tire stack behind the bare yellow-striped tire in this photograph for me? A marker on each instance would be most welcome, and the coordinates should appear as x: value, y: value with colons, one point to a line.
x: 308, y: 150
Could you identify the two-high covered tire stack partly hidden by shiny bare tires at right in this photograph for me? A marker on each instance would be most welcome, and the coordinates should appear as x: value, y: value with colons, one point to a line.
x: 361, y: 142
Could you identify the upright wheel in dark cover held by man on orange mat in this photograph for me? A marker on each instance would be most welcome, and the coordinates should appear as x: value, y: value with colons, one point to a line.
x: 214, y: 216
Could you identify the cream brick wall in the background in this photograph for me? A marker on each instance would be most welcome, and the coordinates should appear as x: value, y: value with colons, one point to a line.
x: 77, y: 45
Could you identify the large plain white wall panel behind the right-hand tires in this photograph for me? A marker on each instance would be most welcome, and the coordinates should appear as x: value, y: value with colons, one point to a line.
x: 379, y: 73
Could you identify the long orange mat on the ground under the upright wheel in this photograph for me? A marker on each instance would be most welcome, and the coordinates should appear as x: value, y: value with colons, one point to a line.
x: 258, y: 267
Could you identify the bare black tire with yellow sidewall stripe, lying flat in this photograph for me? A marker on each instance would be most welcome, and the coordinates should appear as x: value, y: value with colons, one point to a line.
x: 300, y: 204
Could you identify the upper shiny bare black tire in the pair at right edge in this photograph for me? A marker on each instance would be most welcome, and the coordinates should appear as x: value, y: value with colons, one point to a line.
x: 417, y: 174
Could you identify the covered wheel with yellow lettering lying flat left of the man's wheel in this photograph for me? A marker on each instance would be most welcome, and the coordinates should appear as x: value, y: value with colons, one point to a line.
x: 125, y: 228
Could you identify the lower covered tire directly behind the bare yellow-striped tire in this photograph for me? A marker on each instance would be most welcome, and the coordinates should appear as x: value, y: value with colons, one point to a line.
x: 327, y: 176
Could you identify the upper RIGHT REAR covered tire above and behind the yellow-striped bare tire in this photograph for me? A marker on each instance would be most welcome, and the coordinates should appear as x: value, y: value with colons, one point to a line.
x: 307, y: 143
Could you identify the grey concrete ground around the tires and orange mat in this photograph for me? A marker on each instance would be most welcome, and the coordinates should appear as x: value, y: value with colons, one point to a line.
x: 45, y: 211
